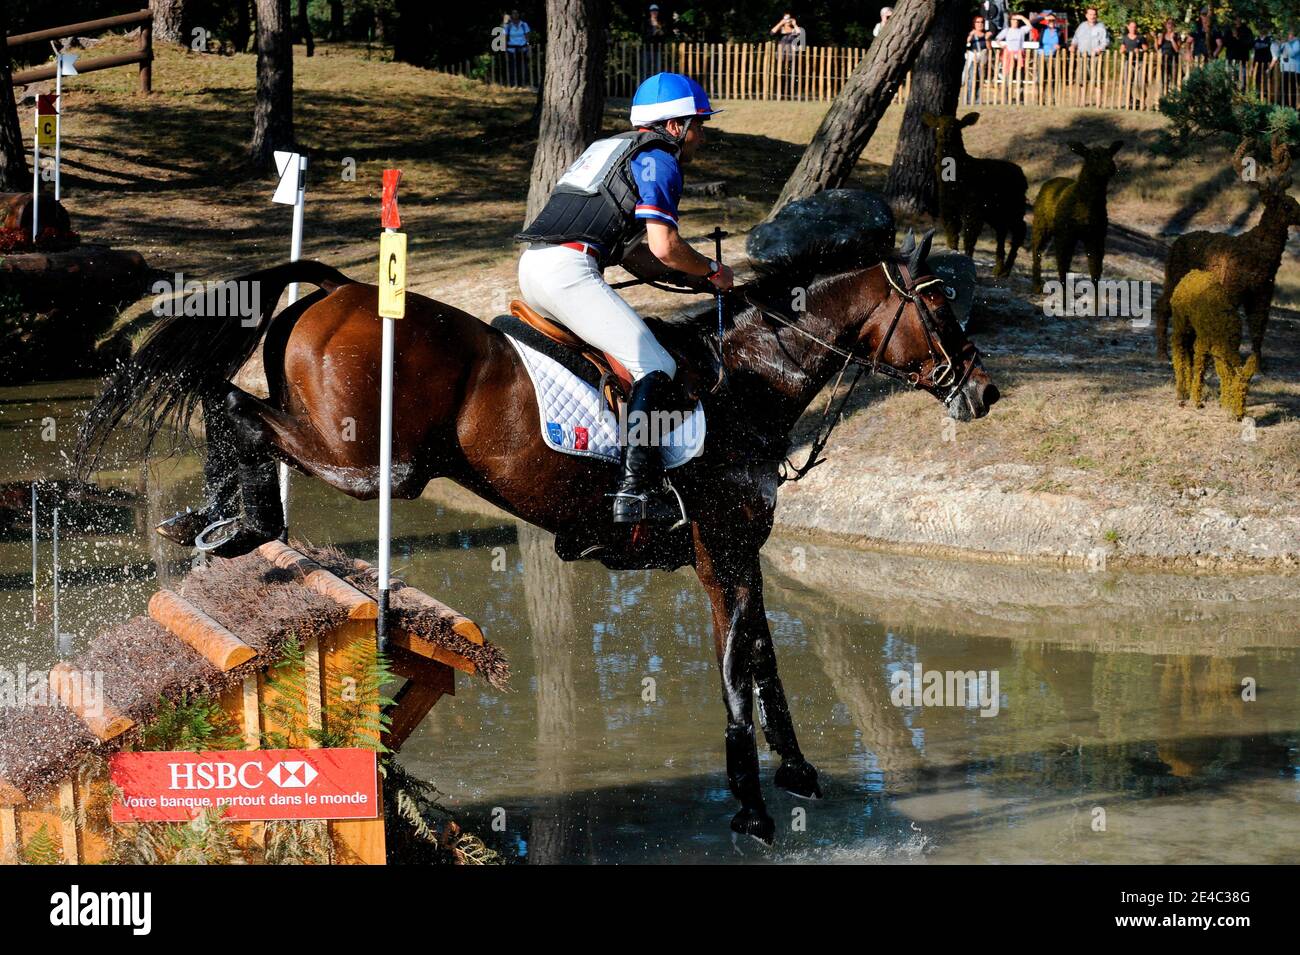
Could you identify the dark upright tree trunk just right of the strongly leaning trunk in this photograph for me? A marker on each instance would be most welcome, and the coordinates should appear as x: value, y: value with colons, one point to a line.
x: 937, y: 83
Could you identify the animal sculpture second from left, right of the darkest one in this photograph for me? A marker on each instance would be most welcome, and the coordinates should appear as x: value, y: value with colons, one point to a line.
x: 1072, y: 211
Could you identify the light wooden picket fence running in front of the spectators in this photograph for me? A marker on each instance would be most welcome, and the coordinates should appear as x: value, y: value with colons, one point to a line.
x: 1112, y: 80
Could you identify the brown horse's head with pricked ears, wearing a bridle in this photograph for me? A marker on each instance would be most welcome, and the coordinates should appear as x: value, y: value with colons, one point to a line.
x: 912, y: 335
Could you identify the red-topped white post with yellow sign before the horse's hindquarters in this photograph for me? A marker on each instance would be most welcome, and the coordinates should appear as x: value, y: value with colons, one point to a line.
x: 392, y: 307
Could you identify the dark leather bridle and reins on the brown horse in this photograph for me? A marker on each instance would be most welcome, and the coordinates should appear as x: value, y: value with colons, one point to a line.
x: 941, y: 376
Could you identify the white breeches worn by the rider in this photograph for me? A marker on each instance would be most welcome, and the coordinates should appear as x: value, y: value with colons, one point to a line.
x: 566, y: 285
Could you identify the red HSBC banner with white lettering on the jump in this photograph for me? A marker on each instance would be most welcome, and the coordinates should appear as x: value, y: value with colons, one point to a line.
x: 252, y: 785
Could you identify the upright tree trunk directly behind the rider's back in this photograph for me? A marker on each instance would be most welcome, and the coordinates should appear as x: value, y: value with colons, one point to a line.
x: 573, y: 93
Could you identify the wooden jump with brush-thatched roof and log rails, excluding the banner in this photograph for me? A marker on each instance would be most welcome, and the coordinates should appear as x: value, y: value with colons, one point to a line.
x: 218, y: 633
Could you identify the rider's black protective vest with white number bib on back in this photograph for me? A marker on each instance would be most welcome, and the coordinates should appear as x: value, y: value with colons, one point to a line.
x: 606, y: 215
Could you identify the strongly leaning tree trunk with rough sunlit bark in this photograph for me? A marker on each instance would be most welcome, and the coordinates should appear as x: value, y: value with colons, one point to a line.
x: 853, y: 118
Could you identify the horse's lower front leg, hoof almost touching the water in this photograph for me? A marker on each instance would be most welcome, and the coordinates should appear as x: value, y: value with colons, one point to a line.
x: 735, y: 591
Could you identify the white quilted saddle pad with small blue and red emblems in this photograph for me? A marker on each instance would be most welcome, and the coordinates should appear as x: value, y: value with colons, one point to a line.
x: 577, y: 420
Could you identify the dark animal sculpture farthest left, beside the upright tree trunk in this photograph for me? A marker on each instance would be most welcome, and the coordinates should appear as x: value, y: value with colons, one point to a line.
x: 977, y: 192
